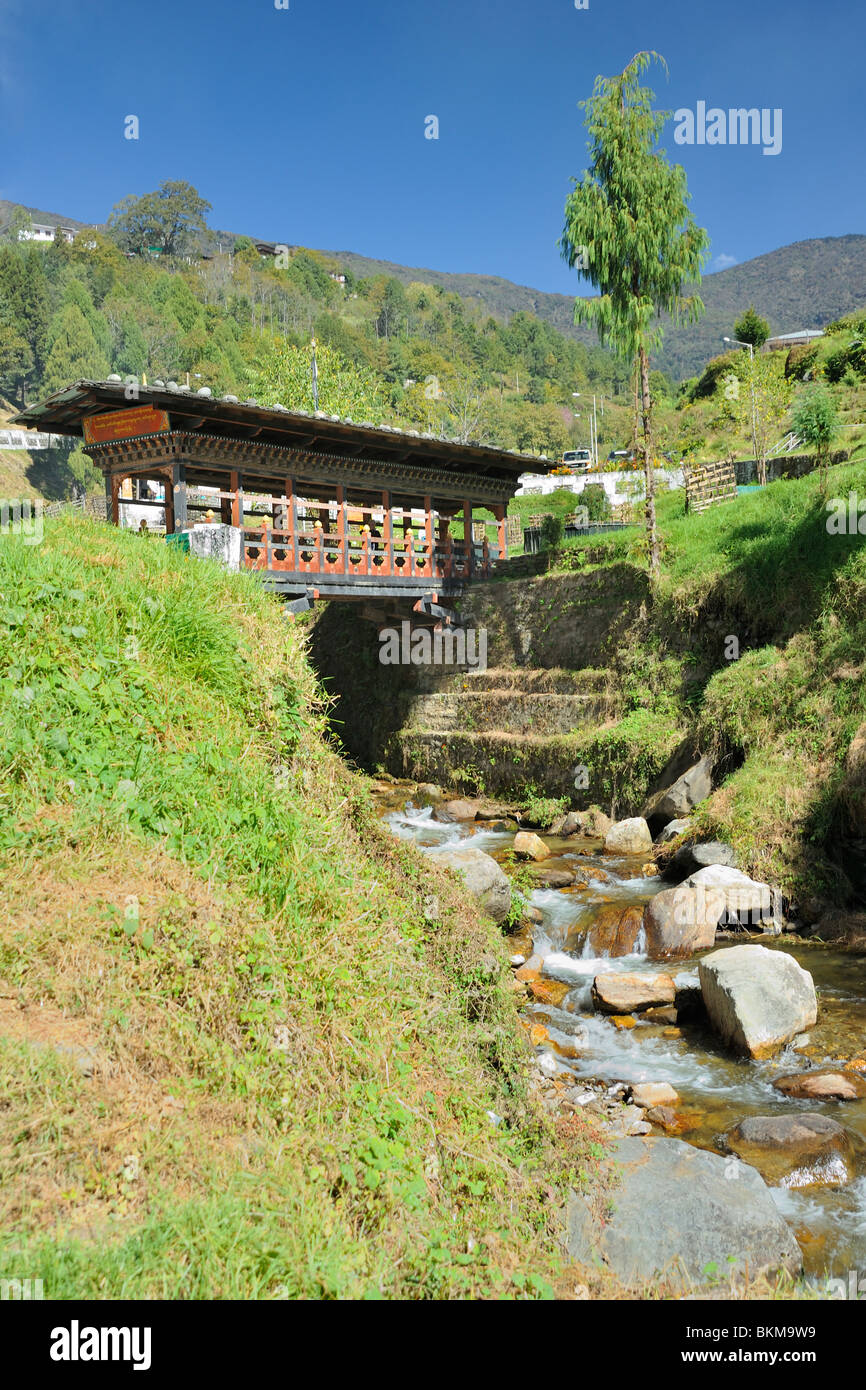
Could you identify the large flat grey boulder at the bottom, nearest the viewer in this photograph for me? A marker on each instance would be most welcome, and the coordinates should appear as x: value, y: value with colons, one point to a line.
x: 673, y: 1211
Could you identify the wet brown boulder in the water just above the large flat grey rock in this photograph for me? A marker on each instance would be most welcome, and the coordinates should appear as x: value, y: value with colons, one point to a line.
x: 794, y: 1150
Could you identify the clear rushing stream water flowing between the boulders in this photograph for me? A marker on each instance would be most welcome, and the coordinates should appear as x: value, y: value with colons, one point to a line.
x: 717, y: 1089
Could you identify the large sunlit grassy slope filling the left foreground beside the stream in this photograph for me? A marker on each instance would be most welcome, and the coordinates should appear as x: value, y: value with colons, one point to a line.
x: 298, y: 1025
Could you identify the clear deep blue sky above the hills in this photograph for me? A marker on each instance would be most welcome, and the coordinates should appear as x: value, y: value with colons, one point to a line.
x: 307, y: 126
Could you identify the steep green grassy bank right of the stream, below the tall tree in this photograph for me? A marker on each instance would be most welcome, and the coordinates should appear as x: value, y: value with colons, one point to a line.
x: 781, y: 719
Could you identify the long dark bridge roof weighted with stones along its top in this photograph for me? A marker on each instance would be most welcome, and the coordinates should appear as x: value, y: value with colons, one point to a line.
x: 231, y: 419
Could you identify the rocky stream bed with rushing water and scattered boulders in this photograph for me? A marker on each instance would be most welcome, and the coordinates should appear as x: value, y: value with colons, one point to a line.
x: 772, y: 1143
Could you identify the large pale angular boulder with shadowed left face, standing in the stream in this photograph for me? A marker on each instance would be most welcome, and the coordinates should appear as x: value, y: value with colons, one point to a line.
x: 757, y: 1000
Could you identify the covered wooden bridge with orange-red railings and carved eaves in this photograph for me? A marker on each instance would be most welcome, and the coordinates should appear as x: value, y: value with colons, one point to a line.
x: 320, y: 507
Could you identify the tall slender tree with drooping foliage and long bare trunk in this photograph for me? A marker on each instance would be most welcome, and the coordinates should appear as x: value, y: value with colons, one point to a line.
x: 630, y: 233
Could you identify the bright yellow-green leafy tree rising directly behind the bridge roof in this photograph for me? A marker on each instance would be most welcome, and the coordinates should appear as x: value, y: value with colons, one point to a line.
x: 286, y: 377
